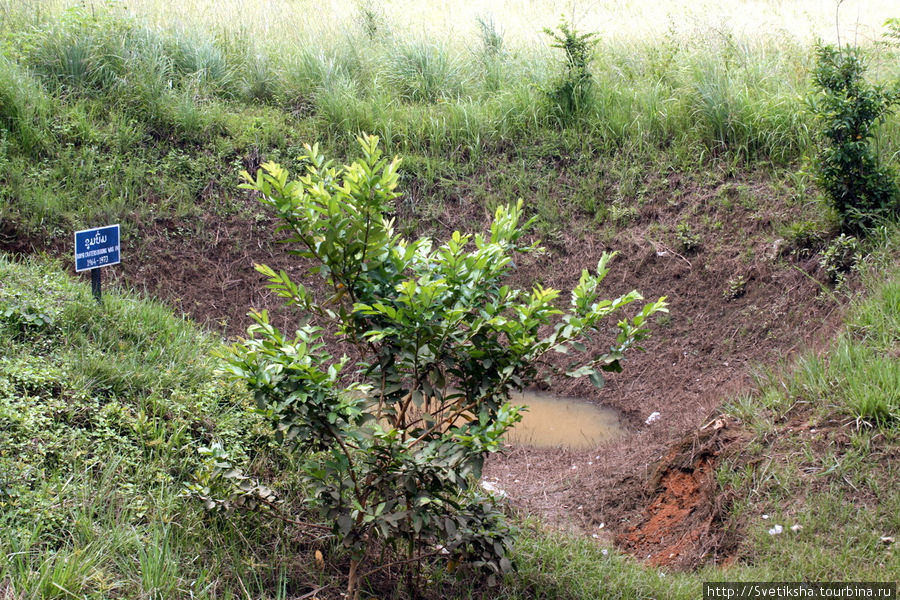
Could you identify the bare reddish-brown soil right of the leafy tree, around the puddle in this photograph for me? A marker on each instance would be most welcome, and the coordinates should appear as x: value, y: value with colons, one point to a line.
x: 698, y: 358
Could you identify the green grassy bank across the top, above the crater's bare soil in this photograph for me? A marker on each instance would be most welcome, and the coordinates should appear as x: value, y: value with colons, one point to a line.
x: 141, y: 105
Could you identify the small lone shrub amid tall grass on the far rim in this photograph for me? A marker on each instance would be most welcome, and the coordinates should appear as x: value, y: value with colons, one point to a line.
x: 572, y: 94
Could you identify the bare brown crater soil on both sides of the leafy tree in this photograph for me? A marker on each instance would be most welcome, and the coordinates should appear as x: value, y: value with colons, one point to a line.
x: 700, y: 355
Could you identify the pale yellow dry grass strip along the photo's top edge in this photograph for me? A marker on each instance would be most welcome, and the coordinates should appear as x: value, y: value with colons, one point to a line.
x: 295, y: 22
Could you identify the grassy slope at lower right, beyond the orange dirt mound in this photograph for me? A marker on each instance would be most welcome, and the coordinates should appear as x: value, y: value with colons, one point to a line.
x: 823, y: 435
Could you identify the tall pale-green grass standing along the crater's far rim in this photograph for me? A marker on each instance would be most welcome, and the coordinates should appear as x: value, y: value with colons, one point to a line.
x: 708, y: 92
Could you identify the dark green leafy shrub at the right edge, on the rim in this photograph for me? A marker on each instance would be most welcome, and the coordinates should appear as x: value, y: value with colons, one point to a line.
x: 859, y: 186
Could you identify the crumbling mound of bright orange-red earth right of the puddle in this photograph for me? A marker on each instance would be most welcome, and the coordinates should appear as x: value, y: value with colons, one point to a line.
x: 681, y: 525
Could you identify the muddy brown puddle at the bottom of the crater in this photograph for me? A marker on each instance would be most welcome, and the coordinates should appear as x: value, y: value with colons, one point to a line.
x: 551, y: 422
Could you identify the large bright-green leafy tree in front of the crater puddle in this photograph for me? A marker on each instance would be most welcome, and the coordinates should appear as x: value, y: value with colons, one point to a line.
x: 395, y: 437
